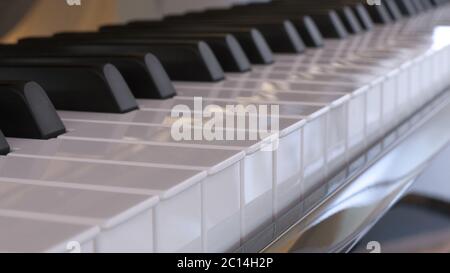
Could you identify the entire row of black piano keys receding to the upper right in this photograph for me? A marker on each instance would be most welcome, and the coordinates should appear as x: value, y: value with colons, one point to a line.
x: 104, y: 71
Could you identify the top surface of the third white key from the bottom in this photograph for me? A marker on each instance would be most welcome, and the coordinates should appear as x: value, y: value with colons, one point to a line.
x: 91, y: 175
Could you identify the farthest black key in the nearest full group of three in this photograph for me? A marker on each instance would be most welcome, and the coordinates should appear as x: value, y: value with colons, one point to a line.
x: 251, y: 40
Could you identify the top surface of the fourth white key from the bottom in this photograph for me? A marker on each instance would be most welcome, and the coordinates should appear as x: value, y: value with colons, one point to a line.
x: 211, y: 160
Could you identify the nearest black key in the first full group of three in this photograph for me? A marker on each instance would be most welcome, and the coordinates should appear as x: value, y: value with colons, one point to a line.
x: 183, y: 60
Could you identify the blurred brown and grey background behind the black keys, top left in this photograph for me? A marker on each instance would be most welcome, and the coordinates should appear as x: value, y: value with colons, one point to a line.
x: 22, y: 18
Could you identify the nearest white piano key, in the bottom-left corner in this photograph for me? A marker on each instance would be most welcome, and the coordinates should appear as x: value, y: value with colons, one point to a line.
x: 29, y: 235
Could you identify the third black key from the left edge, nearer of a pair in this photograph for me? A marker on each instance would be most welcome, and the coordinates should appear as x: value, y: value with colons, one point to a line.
x: 93, y: 88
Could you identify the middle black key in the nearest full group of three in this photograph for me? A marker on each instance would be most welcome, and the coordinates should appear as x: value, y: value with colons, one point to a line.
x: 225, y: 46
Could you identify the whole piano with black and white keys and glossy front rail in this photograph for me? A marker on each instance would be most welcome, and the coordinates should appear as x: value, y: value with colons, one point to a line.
x: 241, y: 126
